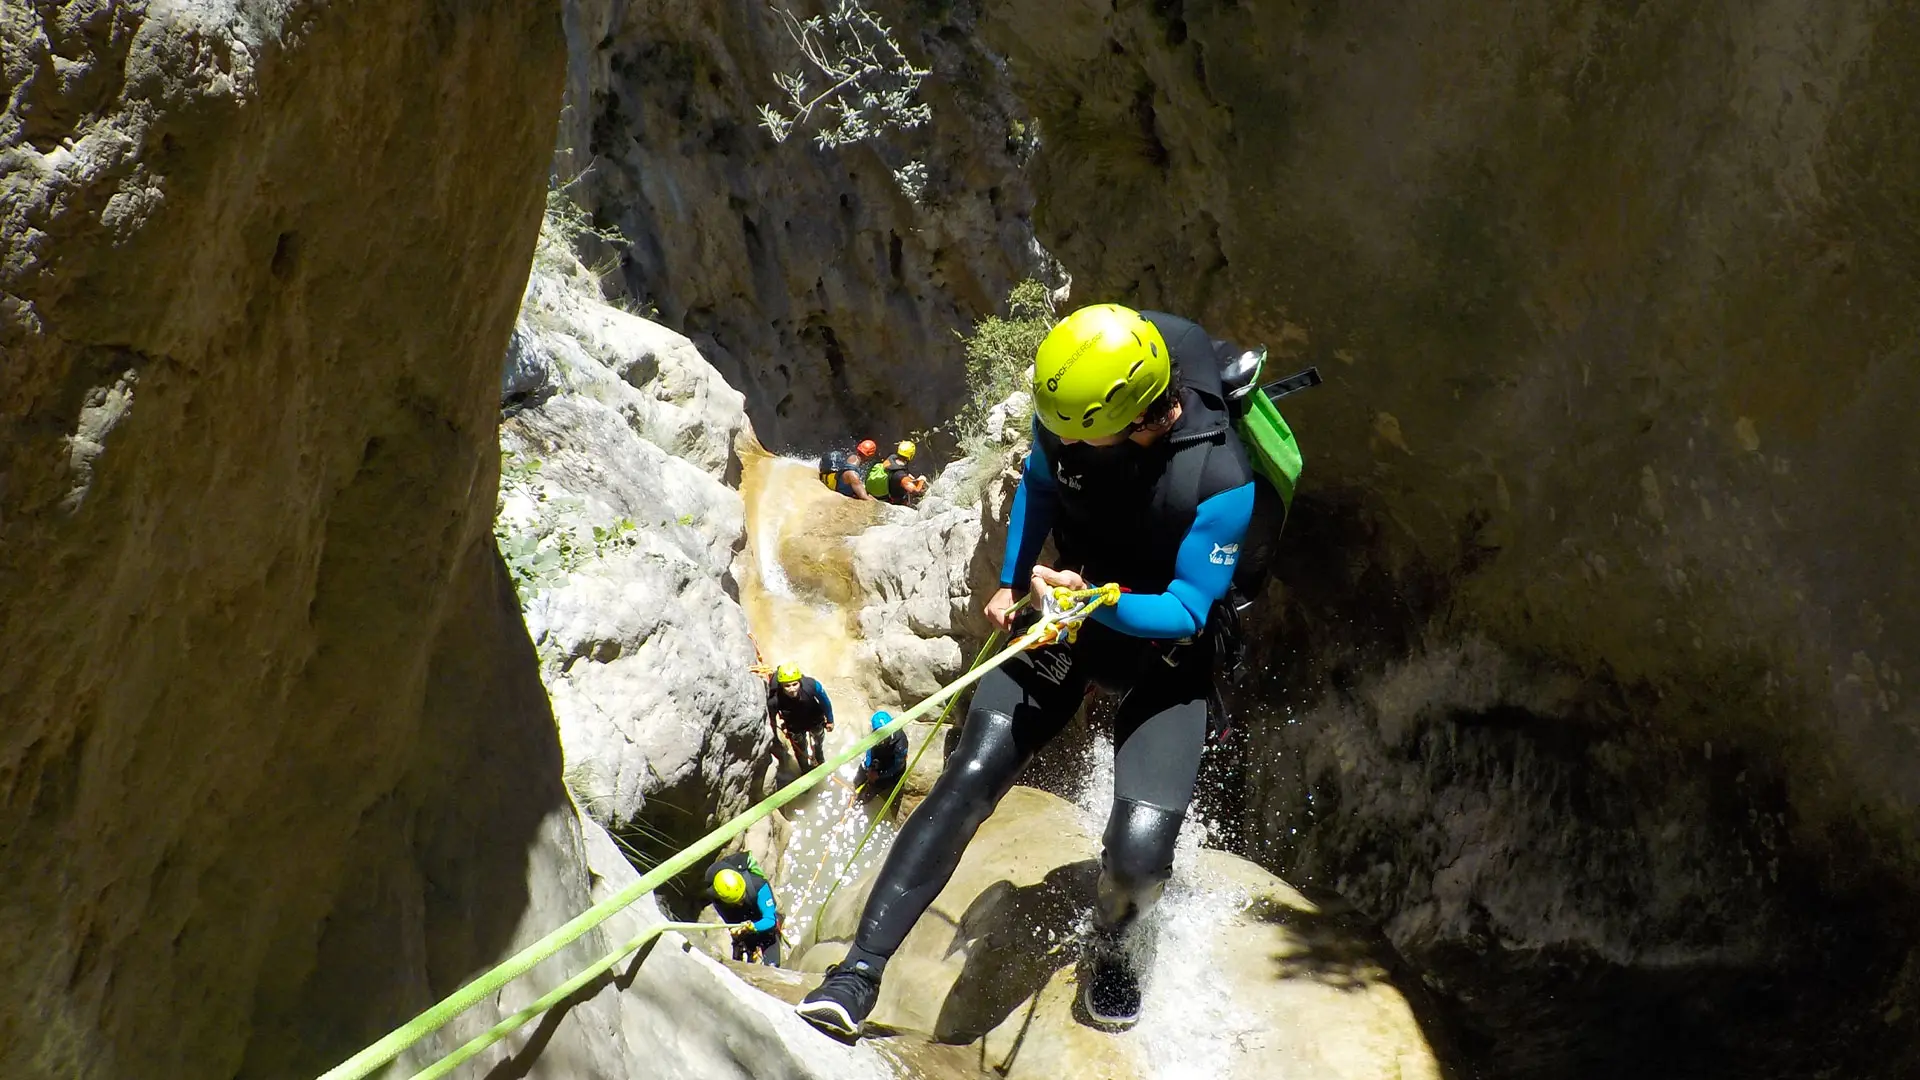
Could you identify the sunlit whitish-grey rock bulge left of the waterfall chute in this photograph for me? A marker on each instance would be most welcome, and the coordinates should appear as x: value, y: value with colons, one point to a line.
x: 619, y: 441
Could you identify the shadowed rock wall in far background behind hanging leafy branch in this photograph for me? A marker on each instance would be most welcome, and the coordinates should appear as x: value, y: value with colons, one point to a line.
x: 802, y: 274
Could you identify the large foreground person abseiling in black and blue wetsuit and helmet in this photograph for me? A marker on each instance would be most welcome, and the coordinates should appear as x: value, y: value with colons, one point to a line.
x: 1138, y: 474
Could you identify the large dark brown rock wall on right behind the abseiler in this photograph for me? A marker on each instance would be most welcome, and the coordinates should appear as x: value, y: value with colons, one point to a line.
x: 1593, y: 647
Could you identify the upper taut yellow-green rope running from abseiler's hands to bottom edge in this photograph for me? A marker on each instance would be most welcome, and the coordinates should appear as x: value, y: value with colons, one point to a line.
x: 441, y: 1014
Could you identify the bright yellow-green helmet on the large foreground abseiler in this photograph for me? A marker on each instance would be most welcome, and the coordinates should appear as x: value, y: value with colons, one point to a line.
x: 1097, y: 372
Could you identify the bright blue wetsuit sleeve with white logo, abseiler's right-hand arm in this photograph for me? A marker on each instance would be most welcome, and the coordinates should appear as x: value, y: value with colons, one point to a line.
x: 1203, y: 570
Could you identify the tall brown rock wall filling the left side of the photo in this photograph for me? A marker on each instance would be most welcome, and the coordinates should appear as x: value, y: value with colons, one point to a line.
x: 276, y: 764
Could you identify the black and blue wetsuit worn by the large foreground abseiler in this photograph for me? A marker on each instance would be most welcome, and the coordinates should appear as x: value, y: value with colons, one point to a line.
x: 1166, y: 524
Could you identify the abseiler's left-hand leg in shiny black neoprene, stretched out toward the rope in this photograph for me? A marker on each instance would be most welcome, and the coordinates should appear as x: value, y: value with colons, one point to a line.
x: 1015, y: 714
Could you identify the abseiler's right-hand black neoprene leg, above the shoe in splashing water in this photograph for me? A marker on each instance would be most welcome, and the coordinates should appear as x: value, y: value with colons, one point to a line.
x: 1159, y: 737
